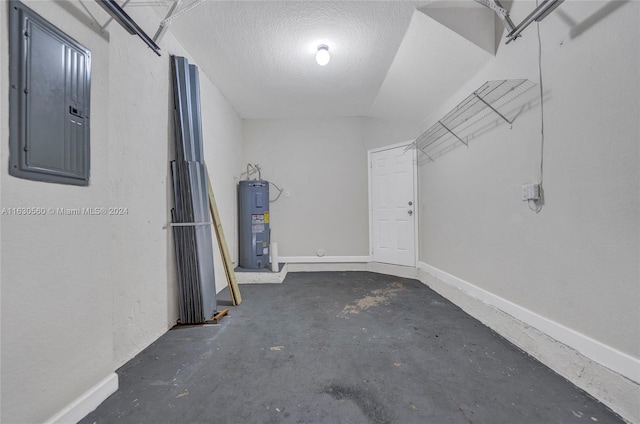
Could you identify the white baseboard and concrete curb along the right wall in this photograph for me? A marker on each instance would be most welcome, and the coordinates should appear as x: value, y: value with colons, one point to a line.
x: 607, y: 374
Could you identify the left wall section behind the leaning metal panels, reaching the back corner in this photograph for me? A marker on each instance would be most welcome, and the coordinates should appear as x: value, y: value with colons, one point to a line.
x: 141, y: 109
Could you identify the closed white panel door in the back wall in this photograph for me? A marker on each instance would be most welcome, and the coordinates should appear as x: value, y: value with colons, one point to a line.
x: 393, y: 205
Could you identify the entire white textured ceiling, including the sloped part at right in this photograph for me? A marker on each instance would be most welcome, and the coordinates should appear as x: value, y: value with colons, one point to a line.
x: 388, y: 58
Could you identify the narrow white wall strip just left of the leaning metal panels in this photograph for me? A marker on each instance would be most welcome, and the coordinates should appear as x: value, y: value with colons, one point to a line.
x: 138, y: 153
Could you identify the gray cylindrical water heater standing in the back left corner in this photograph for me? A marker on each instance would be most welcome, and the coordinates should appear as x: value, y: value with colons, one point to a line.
x: 253, y: 208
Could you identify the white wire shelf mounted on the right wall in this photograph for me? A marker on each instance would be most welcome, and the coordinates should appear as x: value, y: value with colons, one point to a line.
x: 489, y: 96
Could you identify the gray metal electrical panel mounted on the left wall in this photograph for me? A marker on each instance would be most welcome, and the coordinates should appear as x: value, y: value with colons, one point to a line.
x: 49, y: 101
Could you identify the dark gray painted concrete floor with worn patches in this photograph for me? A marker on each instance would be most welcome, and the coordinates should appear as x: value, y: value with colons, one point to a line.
x: 342, y: 347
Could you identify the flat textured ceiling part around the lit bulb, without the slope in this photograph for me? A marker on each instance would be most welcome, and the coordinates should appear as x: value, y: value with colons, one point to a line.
x: 261, y: 54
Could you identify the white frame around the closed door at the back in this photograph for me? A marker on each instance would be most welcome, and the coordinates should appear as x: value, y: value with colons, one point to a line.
x: 416, y: 212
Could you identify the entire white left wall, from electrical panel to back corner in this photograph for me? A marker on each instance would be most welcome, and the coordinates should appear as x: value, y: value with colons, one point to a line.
x: 81, y: 295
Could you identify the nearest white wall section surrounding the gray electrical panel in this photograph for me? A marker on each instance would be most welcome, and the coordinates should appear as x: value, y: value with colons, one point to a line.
x: 57, y: 339
